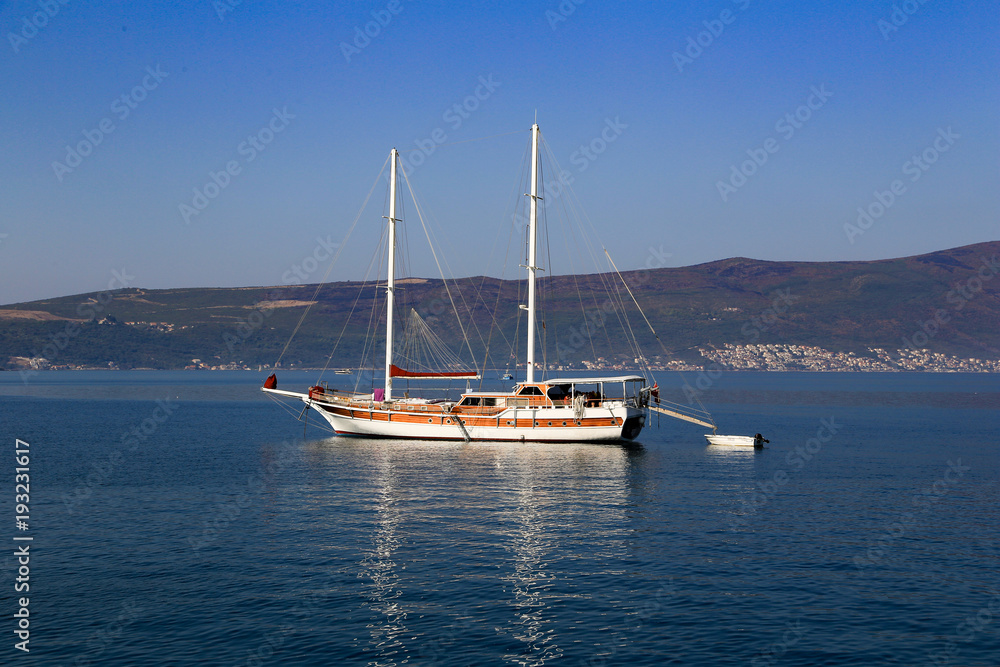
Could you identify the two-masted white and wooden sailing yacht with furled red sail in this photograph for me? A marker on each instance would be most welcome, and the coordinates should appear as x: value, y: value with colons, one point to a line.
x: 535, y: 410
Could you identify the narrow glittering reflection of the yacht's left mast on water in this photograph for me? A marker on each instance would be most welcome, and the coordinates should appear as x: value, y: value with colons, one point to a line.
x: 382, y: 586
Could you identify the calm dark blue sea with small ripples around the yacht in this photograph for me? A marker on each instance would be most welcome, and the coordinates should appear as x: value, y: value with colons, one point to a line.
x: 182, y: 518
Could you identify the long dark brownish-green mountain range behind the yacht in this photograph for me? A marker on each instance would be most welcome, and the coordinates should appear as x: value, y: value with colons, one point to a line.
x: 946, y: 301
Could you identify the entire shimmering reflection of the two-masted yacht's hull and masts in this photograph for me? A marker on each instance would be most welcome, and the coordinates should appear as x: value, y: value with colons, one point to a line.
x: 548, y: 523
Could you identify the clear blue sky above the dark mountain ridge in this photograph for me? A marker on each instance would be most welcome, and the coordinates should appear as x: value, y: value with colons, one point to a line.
x: 199, y: 78
